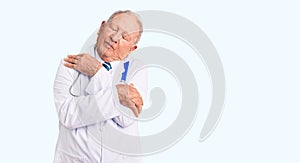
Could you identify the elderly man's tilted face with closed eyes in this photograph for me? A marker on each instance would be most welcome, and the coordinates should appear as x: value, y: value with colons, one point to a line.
x: 116, y: 38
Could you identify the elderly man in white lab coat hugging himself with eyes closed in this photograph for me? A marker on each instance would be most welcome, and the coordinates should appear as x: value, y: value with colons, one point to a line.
x: 83, y: 91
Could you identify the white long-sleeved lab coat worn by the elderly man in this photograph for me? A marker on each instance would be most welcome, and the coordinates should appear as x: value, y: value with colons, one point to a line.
x: 84, y: 120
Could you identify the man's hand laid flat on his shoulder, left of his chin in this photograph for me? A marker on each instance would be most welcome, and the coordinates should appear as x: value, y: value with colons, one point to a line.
x: 83, y: 63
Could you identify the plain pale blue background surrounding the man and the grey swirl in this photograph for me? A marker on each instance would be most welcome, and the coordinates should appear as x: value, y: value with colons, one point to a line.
x: 258, y: 43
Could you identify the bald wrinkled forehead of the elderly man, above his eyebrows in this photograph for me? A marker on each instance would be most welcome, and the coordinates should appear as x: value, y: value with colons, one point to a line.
x: 126, y: 22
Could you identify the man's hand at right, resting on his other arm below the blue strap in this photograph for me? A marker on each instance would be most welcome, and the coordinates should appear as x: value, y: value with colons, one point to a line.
x: 130, y: 97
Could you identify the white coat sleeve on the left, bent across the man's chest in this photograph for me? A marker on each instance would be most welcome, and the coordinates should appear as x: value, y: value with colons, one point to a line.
x: 93, y: 107
